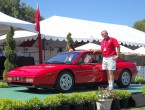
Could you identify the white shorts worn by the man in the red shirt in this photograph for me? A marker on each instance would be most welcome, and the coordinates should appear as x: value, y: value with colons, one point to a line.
x: 109, y: 63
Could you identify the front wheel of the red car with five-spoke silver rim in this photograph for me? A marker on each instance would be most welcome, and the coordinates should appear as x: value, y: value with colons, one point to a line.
x: 64, y: 82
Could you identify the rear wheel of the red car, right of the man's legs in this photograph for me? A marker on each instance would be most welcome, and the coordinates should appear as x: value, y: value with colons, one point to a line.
x: 124, y: 79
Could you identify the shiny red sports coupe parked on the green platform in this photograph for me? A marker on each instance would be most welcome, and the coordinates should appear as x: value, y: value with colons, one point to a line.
x: 68, y: 69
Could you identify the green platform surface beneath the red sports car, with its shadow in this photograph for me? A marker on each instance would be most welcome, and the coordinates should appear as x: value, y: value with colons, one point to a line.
x: 22, y: 93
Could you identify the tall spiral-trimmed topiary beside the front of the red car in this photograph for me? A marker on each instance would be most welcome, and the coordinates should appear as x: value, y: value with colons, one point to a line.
x: 11, y: 57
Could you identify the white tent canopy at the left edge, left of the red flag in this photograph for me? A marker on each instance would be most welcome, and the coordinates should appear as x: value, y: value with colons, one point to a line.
x: 7, y: 21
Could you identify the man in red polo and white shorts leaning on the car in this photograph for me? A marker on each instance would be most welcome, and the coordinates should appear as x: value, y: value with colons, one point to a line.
x: 108, y: 49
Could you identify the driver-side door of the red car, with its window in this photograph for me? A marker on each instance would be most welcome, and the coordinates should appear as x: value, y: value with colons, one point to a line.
x: 86, y: 69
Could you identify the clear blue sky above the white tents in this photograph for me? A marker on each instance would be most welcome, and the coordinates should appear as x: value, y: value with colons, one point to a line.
x: 122, y: 12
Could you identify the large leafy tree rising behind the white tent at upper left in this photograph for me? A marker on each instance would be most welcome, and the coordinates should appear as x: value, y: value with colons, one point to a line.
x: 18, y: 10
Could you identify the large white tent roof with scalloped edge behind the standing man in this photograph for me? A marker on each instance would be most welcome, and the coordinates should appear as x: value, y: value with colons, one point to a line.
x: 57, y: 27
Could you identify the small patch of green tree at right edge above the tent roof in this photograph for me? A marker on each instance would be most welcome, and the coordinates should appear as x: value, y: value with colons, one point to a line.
x: 140, y: 25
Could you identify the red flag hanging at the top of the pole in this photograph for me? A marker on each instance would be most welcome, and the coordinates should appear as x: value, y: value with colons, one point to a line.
x: 37, y: 17
